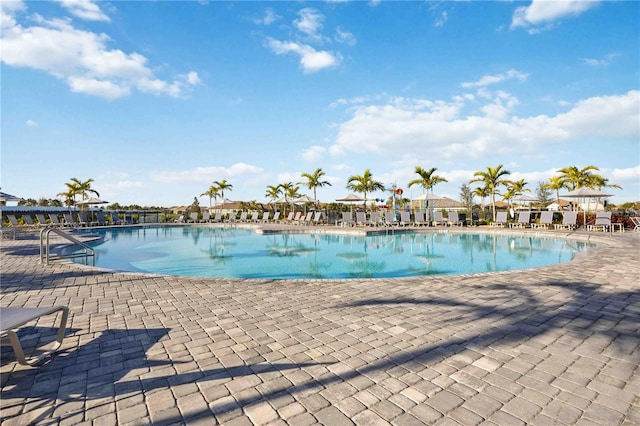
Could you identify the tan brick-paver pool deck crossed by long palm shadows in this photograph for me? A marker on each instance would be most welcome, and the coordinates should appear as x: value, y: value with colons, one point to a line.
x: 552, y: 345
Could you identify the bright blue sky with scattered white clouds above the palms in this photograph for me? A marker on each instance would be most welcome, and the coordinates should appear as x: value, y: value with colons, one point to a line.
x: 156, y: 100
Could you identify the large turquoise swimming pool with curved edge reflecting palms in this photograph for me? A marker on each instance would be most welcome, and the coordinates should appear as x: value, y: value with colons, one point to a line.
x: 230, y: 252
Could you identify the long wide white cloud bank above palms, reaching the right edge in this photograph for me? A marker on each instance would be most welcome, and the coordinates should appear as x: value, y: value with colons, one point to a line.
x: 439, y: 129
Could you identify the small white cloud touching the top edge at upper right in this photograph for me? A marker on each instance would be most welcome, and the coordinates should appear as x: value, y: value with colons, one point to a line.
x: 545, y: 13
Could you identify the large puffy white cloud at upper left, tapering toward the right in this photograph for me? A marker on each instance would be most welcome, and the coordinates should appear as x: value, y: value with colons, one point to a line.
x: 82, y: 59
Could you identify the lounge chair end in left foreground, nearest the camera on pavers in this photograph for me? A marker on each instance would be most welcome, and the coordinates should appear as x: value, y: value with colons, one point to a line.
x: 13, y: 318
